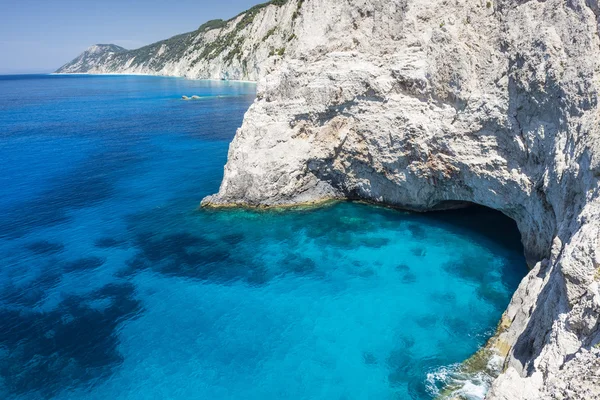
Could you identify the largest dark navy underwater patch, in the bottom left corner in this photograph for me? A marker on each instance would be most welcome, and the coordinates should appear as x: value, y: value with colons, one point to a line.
x: 74, y: 344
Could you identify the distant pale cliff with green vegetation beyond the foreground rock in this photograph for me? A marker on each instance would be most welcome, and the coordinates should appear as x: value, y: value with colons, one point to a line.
x: 235, y: 49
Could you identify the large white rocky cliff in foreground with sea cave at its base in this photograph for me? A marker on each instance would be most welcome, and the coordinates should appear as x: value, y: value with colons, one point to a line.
x: 417, y: 104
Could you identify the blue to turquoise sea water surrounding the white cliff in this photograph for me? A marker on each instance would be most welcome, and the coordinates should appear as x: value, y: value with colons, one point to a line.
x: 113, y: 285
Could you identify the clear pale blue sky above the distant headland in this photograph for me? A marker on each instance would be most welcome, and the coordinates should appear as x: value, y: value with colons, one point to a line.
x: 42, y: 35
